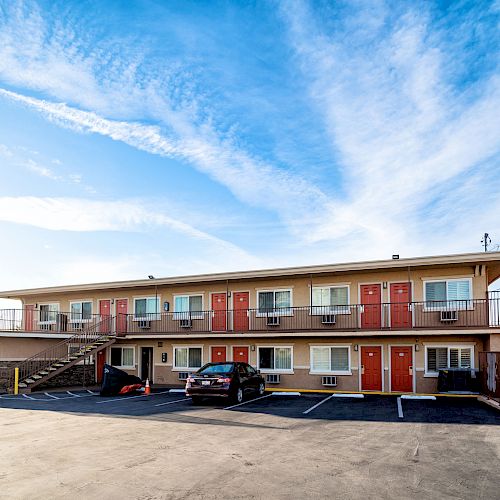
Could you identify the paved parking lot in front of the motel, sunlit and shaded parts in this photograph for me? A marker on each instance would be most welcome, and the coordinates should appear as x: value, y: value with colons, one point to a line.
x: 59, y: 443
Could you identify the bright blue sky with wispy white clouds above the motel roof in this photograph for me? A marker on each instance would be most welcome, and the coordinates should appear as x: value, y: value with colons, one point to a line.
x: 181, y: 137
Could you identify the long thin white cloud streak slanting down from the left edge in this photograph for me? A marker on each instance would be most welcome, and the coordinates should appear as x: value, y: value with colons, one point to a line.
x: 250, y: 179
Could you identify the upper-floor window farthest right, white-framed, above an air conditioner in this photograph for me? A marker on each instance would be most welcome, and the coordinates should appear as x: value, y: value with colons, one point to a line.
x: 448, y: 294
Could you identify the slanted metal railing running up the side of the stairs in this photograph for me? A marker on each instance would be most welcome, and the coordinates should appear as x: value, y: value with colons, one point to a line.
x: 63, y: 352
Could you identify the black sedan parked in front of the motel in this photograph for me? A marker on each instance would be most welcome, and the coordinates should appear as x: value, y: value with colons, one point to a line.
x: 229, y: 379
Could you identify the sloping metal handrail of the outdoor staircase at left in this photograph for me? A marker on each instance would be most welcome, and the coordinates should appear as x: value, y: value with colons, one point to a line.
x: 46, y: 358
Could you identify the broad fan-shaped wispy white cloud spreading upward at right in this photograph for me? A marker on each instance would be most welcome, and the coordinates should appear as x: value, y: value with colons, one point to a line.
x: 401, y: 130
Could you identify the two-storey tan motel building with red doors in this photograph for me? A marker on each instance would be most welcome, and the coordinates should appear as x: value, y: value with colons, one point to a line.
x: 387, y: 325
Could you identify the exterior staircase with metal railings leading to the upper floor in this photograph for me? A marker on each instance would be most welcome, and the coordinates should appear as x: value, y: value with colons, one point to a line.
x: 46, y: 364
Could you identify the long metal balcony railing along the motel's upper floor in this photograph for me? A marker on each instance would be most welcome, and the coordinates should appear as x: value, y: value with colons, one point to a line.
x: 438, y: 315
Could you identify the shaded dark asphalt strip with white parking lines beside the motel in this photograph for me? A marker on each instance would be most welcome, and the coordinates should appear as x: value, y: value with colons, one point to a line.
x: 308, y: 406
